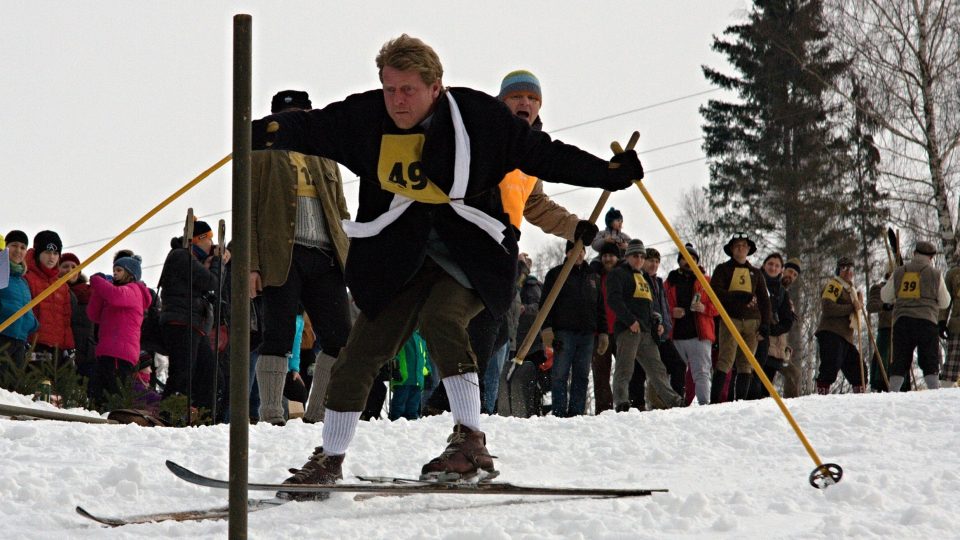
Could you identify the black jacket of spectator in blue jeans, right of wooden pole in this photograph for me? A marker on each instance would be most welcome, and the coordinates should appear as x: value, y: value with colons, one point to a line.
x: 579, y: 306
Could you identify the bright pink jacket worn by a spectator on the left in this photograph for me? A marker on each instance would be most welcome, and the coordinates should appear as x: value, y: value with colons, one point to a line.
x: 119, y: 312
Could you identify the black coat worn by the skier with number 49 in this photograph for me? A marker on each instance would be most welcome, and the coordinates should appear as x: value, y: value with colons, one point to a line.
x: 350, y: 133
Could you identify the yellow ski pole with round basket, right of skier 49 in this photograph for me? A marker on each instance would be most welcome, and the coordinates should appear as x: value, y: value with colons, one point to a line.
x: 823, y: 475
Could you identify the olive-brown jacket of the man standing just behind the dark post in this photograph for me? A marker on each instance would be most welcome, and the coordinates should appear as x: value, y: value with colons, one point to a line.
x: 273, y: 212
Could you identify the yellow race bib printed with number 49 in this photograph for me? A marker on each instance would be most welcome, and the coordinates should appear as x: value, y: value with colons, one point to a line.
x: 400, y: 170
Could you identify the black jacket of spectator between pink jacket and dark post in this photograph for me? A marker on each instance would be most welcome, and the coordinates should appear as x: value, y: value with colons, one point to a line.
x: 175, y: 286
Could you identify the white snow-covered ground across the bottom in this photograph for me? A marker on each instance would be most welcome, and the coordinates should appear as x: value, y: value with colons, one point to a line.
x: 733, y: 470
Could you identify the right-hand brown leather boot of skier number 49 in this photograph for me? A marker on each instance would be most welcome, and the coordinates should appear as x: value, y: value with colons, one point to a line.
x: 465, y: 459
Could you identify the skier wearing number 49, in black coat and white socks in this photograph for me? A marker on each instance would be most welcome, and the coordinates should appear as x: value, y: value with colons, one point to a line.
x: 432, y: 244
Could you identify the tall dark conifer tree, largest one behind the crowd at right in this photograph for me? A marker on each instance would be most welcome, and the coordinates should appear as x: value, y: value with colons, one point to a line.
x: 776, y: 154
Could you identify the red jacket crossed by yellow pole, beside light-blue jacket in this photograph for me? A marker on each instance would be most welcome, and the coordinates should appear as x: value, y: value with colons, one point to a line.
x: 54, y: 311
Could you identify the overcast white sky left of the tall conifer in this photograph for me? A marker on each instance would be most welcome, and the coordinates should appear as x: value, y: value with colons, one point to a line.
x: 110, y: 106
